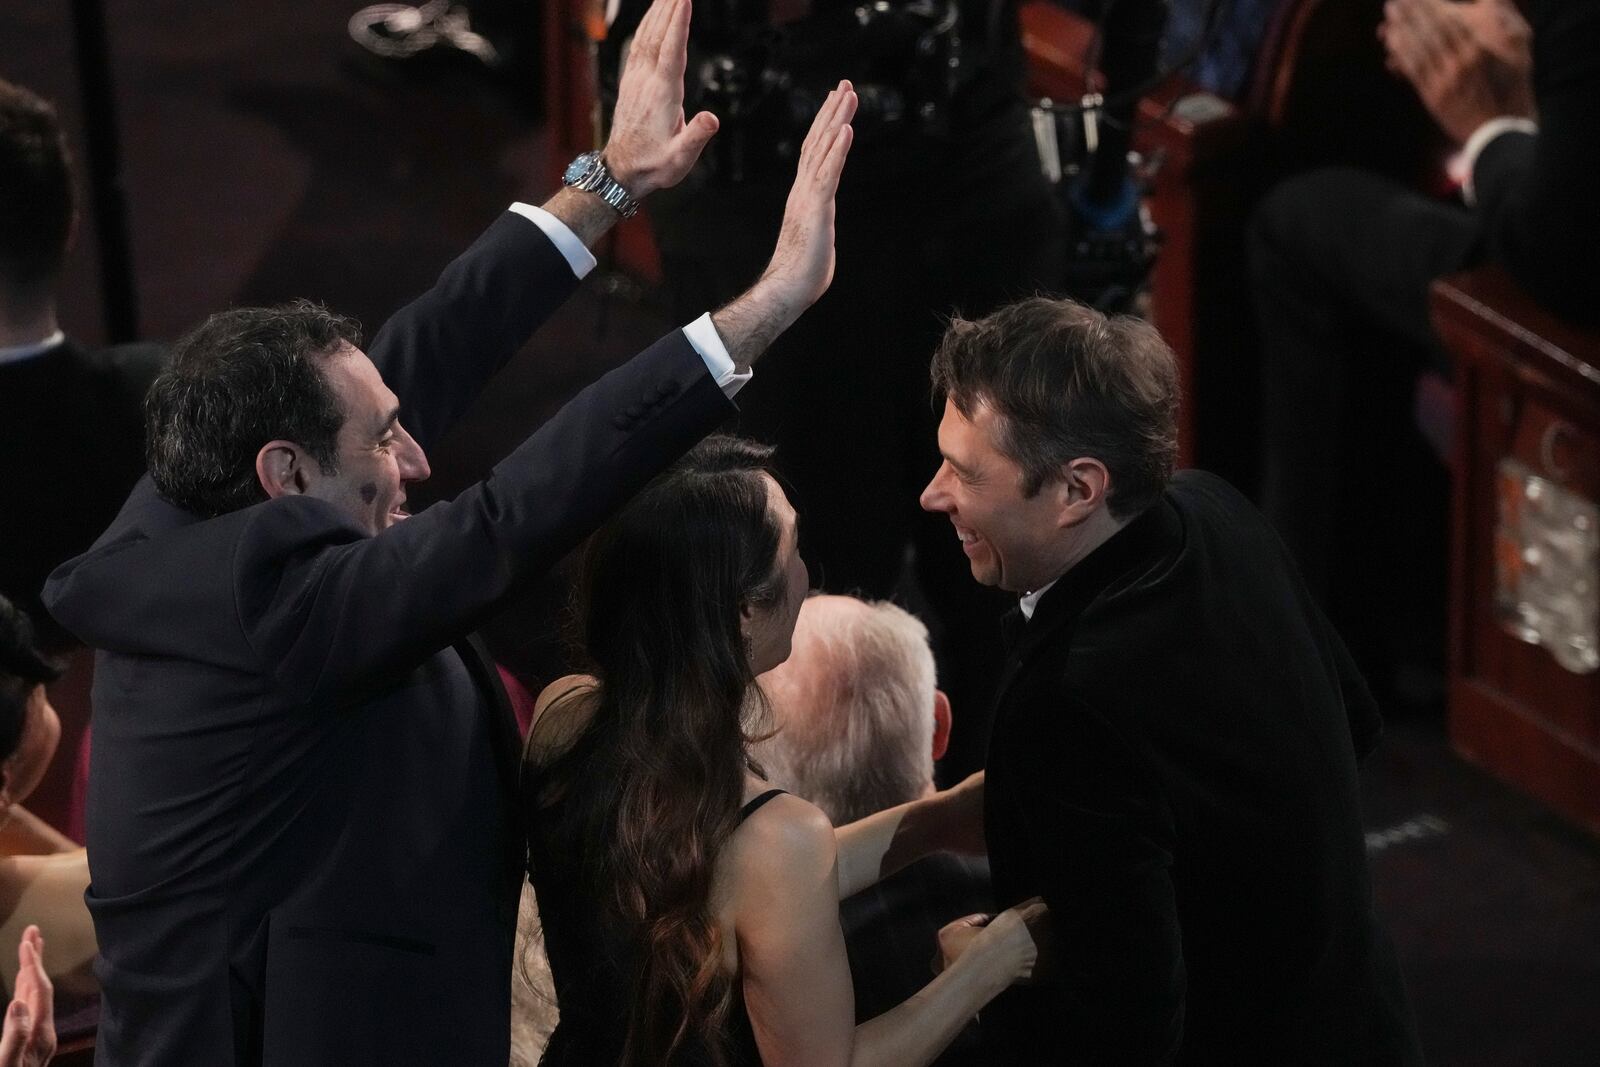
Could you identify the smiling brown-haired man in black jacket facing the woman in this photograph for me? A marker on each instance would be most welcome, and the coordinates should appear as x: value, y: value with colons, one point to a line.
x: 1175, y: 745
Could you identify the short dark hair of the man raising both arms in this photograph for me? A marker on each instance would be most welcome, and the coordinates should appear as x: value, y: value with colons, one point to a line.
x: 241, y: 380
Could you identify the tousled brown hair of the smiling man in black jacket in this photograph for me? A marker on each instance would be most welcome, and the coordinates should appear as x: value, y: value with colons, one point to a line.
x: 1070, y: 383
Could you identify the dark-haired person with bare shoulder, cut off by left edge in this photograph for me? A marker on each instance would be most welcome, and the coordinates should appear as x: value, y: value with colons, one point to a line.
x: 42, y: 874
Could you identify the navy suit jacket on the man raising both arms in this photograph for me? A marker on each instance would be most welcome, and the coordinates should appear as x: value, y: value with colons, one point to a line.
x: 302, y: 821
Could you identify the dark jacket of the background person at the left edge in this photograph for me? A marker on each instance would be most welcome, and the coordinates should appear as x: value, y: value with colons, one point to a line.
x: 73, y: 431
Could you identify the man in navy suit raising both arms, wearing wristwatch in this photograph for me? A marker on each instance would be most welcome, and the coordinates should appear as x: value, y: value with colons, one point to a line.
x: 303, y: 837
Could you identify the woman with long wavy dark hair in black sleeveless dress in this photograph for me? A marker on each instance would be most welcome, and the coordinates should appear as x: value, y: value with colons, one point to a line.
x: 692, y: 913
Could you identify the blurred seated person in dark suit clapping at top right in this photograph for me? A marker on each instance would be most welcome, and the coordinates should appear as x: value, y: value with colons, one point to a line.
x: 1342, y: 263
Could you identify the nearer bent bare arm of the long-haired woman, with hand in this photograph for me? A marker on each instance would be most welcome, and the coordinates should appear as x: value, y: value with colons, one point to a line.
x: 793, y: 957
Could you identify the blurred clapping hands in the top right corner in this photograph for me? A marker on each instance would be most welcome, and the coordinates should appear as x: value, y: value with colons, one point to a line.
x: 1470, y: 62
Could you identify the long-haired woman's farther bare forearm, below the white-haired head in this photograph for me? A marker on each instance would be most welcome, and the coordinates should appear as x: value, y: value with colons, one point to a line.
x: 874, y: 849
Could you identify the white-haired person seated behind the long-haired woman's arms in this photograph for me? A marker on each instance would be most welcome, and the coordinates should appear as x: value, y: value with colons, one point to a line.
x: 858, y: 727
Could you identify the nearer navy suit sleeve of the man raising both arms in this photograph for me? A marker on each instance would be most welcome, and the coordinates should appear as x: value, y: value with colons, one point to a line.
x: 337, y: 612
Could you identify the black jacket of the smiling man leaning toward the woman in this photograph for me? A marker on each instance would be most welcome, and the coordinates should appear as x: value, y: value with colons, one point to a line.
x: 1174, y: 770
